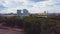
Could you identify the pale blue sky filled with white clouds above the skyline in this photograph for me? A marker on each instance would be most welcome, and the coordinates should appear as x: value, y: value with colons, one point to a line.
x: 33, y: 6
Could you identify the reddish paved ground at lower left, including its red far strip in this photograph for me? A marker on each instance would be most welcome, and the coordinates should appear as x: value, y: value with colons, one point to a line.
x: 8, y: 30
